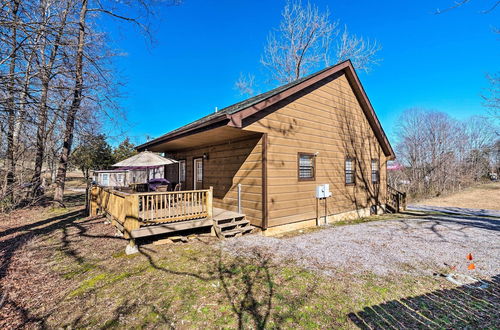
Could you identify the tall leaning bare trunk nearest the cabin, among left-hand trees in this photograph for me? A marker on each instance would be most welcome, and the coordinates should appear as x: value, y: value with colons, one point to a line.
x: 75, y: 106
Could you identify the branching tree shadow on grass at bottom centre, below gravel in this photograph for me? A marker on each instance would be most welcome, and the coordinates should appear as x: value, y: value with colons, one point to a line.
x: 248, y: 285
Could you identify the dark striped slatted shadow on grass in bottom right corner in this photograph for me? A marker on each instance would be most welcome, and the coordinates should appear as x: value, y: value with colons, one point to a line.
x: 461, y: 307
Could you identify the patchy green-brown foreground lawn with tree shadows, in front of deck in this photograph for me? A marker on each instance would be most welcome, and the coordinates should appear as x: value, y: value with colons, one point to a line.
x: 59, y: 269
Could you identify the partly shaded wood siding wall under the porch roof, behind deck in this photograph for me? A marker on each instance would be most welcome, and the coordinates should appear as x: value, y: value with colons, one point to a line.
x: 230, y: 164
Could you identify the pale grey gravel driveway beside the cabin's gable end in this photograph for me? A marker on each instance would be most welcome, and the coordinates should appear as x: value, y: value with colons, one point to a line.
x: 422, y: 244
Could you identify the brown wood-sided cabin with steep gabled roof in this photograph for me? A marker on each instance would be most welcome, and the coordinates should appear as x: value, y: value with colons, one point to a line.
x: 266, y: 156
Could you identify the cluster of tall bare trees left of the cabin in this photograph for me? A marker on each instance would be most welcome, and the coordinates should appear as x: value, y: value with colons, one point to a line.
x: 56, y: 83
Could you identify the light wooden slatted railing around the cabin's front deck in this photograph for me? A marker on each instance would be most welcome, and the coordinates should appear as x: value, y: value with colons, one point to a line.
x: 133, y: 210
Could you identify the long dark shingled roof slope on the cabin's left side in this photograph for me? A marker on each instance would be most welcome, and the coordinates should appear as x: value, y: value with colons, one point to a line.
x: 241, y: 105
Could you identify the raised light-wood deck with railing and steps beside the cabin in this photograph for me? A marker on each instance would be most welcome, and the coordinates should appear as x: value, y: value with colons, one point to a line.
x: 145, y: 214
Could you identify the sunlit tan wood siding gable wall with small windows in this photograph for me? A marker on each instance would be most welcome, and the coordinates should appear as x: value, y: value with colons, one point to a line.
x: 329, y: 120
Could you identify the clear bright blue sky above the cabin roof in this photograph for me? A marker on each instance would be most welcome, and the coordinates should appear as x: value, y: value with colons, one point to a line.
x: 431, y: 61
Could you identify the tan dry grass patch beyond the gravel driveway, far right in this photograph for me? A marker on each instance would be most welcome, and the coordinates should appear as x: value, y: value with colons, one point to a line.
x: 484, y: 196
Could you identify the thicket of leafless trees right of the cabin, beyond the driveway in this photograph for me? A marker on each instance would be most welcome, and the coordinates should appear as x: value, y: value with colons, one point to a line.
x: 440, y: 154
